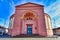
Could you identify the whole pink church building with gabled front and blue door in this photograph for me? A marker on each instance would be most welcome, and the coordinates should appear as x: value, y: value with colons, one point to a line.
x: 29, y: 19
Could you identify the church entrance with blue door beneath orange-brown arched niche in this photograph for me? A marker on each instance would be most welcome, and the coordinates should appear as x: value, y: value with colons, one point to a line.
x: 29, y: 18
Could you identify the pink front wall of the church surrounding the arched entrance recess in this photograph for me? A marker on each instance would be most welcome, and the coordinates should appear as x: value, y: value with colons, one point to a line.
x: 21, y: 10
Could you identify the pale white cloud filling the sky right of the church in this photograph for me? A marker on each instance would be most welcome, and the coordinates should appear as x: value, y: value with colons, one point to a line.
x: 54, y: 11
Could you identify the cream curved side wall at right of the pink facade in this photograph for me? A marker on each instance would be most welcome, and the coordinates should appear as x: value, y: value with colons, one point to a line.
x: 48, y: 25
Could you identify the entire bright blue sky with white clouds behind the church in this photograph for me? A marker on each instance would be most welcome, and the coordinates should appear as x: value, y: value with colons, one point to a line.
x: 51, y: 7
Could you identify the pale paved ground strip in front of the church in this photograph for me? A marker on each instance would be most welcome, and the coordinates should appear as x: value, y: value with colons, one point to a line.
x: 29, y: 38
